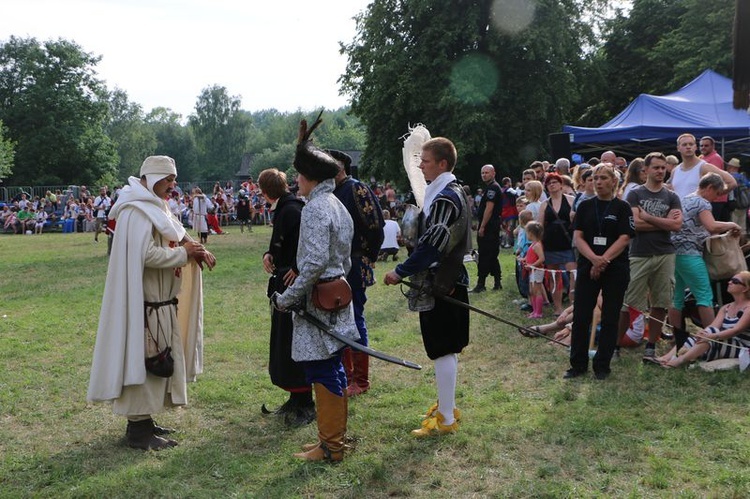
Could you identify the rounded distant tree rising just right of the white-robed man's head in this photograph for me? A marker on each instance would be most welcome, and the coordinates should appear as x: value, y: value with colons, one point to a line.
x: 221, y: 132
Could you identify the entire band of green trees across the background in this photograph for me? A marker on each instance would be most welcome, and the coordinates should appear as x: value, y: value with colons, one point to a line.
x: 495, y: 76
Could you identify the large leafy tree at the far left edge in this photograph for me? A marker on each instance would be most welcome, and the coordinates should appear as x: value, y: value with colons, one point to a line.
x: 55, y: 109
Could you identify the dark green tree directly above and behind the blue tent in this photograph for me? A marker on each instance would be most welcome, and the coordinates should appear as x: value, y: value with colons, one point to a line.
x: 656, y: 47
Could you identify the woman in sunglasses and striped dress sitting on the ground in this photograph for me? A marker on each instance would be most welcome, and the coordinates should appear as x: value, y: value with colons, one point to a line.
x: 727, y: 335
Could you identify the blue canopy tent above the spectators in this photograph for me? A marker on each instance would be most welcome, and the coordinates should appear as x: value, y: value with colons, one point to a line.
x: 653, y: 123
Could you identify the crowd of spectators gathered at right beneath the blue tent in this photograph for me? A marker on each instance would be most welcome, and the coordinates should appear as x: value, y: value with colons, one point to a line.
x: 549, y: 196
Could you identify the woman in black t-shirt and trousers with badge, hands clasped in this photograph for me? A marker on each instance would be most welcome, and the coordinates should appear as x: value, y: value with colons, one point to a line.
x: 602, y: 230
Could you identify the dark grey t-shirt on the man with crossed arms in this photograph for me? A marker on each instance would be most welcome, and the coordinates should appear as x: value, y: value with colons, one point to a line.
x: 658, y: 204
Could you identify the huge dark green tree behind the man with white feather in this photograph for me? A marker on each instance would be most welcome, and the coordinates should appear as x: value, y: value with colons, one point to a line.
x: 495, y: 77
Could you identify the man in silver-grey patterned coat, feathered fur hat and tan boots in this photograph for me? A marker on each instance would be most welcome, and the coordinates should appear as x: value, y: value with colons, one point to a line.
x: 323, y: 254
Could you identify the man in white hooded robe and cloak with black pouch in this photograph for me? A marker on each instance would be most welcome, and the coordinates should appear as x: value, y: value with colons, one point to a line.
x: 153, y: 268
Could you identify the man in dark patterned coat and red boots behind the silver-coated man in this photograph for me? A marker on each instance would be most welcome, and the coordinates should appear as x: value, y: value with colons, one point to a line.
x: 367, y: 216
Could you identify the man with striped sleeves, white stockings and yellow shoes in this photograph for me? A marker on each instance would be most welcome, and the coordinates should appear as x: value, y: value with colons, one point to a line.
x: 436, y: 264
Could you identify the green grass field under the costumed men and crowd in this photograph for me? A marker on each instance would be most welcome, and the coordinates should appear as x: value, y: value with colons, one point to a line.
x: 645, y: 432
